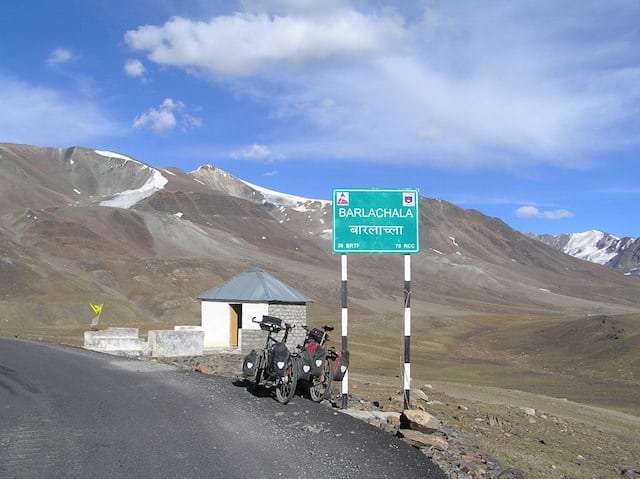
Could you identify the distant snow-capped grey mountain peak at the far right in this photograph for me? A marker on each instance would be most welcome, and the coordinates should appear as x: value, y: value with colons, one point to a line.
x: 599, y: 247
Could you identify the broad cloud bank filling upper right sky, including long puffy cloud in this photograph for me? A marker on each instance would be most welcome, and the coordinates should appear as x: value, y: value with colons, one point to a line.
x: 509, y: 83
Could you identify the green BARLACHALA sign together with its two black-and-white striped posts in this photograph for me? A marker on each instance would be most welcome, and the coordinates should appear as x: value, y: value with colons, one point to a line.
x: 377, y: 222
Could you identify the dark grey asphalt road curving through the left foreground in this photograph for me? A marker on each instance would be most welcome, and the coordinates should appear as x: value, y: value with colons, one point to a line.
x: 66, y: 412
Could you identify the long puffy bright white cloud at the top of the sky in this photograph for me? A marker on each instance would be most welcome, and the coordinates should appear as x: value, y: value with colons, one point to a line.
x: 247, y: 43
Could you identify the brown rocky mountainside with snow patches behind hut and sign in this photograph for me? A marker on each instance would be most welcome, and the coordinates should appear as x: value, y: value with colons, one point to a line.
x: 80, y: 226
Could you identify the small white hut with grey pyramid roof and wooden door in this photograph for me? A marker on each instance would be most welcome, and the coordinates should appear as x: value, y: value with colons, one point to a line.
x: 227, y: 310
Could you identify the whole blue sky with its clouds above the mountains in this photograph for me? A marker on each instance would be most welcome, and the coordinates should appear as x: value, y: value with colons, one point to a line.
x: 528, y: 111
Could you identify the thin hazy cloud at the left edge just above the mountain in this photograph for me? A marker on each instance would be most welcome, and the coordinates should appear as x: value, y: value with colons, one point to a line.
x: 50, y: 117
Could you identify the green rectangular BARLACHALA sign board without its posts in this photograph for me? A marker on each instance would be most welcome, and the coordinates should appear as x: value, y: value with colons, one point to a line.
x: 376, y: 221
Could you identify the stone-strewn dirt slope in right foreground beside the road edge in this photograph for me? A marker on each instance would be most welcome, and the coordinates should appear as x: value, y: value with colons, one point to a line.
x: 562, y: 439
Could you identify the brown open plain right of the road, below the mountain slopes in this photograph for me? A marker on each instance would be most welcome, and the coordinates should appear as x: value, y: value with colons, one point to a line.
x: 580, y: 374
